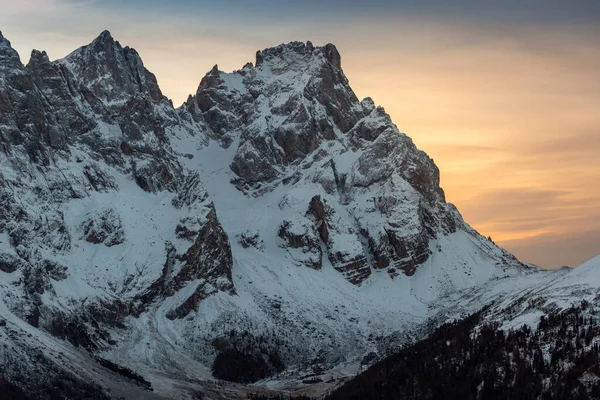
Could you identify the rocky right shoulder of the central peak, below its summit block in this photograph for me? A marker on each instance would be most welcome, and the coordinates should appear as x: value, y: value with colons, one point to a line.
x: 410, y: 204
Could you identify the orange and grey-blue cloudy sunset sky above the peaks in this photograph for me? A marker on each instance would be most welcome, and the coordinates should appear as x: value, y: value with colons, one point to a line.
x: 503, y: 95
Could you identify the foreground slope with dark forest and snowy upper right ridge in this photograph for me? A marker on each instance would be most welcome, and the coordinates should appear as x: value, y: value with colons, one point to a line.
x: 542, y: 343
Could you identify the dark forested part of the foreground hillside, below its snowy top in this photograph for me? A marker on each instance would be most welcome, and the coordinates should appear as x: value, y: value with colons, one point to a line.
x: 464, y: 360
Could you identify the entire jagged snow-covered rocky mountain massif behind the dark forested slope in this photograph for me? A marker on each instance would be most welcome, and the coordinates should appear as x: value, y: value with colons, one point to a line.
x: 273, y: 216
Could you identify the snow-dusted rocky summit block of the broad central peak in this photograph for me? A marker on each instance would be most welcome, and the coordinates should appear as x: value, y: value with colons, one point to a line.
x: 281, y: 110
